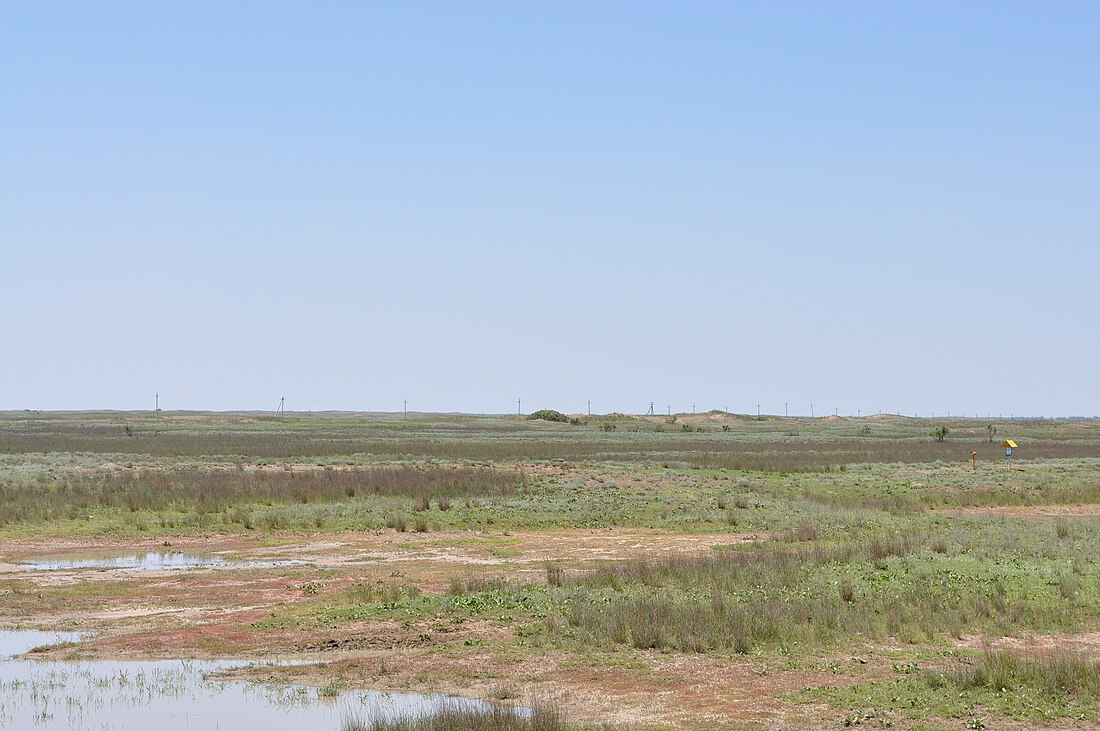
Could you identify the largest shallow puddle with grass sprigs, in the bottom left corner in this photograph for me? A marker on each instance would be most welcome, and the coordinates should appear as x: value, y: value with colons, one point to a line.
x: 173, y: 695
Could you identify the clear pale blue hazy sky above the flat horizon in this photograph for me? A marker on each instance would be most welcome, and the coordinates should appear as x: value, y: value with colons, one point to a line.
x: 873, y: 206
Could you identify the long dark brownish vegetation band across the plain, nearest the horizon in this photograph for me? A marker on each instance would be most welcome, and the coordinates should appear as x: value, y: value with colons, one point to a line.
x: 718, y: 450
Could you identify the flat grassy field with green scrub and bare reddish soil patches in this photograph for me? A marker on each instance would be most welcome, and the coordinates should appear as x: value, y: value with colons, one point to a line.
x: 746, y: 572
